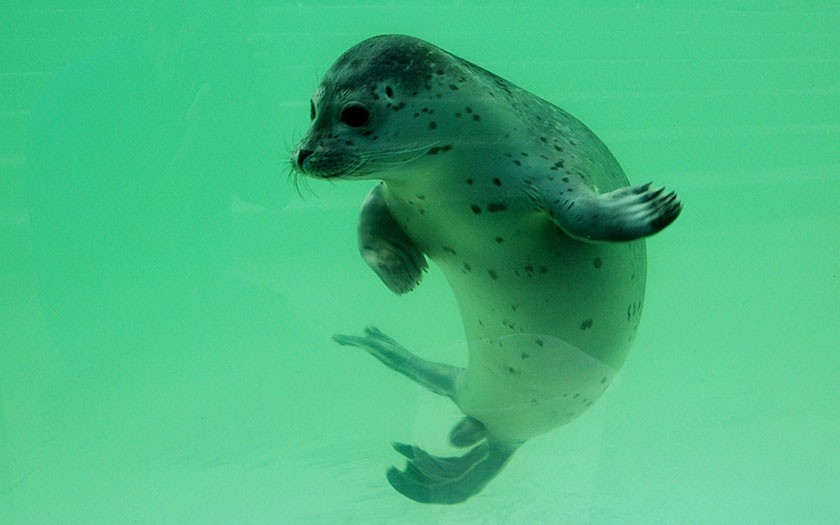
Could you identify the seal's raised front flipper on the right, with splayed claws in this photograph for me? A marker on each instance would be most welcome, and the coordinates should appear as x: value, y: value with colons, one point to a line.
x: 624, y: 214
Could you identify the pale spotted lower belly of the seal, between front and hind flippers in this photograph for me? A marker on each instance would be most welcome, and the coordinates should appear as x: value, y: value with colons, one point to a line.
x: 548, y: 324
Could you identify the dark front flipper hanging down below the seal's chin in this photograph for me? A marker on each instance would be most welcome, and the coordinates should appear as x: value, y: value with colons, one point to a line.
x: 386, y: 248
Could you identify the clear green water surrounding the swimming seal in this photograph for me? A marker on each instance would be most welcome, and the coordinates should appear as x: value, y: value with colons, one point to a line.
x: 167, y: 297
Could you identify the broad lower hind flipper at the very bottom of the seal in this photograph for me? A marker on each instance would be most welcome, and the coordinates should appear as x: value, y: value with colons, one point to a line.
x: 432, y: 479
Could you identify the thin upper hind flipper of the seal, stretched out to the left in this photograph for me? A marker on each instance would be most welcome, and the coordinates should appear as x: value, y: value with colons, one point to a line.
x: 437, y: 377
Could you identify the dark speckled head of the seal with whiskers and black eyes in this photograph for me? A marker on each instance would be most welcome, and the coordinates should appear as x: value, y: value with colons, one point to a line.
x: 376, y: 106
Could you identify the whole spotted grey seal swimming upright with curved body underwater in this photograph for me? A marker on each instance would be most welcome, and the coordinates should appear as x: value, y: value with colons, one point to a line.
x: 527, y: 214
